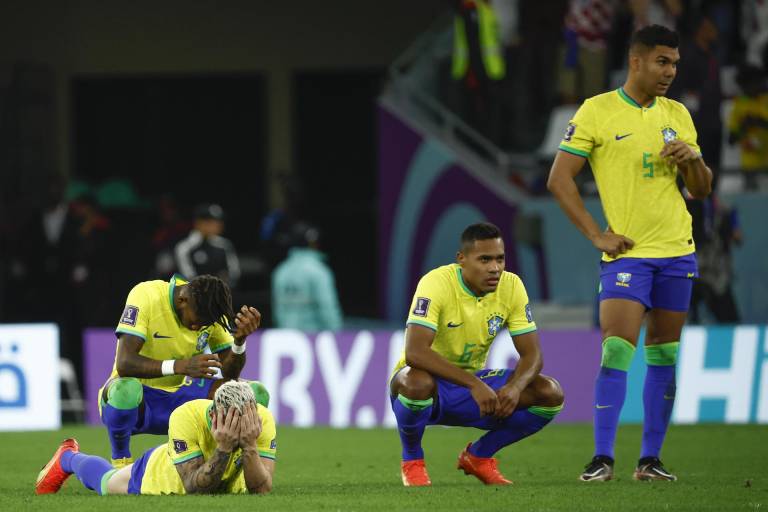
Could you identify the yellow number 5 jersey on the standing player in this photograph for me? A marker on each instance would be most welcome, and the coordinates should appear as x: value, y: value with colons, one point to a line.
x: 638, y: 188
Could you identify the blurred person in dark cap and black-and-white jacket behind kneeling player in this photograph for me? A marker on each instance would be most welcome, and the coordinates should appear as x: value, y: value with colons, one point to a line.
x: 205, y: 251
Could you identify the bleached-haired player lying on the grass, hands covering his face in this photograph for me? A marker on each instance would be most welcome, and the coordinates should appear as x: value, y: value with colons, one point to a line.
x: 214, y: 447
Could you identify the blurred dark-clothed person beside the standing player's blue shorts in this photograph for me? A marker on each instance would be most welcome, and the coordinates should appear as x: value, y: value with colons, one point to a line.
x: 716, y: 228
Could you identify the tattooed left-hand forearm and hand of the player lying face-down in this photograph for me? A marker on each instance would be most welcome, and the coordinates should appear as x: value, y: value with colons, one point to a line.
x: 204, y: 477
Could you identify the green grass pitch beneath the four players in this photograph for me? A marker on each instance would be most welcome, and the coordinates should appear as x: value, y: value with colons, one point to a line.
x: 720, y: 468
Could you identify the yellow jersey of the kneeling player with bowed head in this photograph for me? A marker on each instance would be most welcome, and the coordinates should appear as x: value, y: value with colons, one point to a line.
x: 149, y: 314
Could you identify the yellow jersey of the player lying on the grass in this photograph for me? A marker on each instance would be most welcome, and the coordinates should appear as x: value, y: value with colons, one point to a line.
x: 189, y: 437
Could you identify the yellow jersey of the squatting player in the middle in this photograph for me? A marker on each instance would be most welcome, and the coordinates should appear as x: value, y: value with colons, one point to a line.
x: 465, y: 324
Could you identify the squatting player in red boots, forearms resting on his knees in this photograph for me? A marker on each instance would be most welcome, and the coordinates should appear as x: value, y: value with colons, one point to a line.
x: 441, y: 379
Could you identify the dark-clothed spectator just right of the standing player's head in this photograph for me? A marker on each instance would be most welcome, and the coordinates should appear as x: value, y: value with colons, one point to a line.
x: 697, y: 86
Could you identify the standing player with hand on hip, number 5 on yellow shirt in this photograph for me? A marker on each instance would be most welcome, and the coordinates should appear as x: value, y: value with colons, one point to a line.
x: 637, y: 141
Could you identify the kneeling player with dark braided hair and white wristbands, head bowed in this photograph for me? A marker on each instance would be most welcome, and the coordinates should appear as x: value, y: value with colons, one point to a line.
x: 173, y: 337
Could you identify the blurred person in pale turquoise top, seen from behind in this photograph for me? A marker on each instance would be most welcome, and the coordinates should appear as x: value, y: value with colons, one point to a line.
x: 303, y: 287
